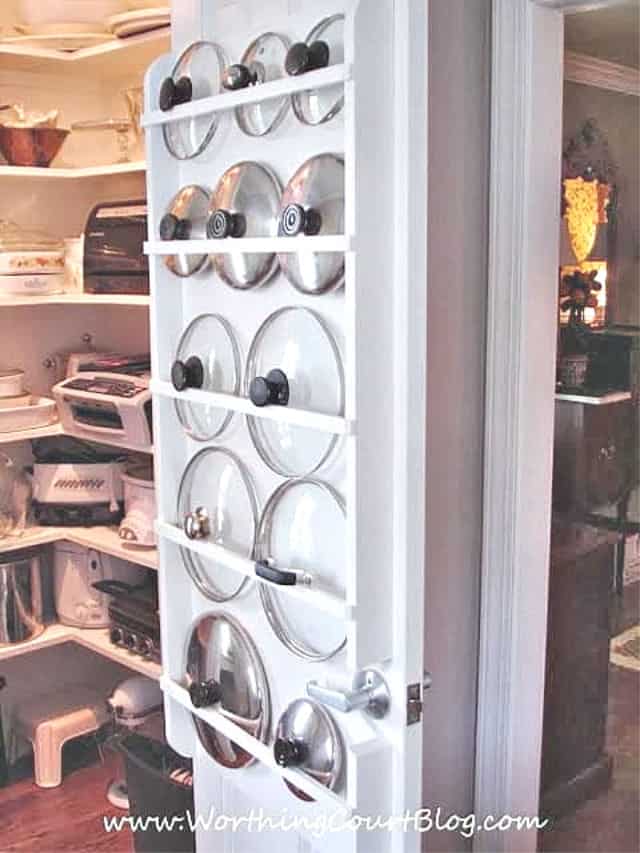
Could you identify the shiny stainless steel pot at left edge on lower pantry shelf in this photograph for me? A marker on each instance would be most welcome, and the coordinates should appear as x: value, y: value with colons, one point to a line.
x: 21, y: 597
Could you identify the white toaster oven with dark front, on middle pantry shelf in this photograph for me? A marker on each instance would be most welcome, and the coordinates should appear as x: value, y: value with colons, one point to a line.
x: 110, y: 407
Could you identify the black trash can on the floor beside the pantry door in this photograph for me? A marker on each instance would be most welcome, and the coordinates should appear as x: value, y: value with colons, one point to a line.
x: 159, y: 784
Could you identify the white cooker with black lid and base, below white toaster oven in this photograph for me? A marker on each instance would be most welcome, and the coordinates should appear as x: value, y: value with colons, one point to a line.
x: 76, y: 484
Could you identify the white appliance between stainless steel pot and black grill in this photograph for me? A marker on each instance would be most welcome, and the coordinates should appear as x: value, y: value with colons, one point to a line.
x: 75, y: 570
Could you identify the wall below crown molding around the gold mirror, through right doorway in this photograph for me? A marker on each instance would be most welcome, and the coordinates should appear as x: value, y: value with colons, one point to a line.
x: 618, y: 116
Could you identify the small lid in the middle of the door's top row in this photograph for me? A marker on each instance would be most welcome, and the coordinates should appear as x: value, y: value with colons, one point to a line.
x: 262, y: 62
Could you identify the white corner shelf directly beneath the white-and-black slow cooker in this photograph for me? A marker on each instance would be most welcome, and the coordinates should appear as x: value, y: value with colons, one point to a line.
x: 103, y: 538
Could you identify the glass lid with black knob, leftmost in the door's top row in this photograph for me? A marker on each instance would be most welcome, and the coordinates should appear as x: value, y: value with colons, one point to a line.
x: 197, y: 74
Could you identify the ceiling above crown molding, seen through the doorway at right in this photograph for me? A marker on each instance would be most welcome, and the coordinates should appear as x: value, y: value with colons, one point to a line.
x: 612, y: 34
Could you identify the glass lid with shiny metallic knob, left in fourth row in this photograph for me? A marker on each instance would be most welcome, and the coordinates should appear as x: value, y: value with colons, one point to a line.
x: 216, y: 504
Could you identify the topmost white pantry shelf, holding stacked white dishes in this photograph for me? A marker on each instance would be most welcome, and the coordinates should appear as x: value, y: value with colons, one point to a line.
x: 117, y: 58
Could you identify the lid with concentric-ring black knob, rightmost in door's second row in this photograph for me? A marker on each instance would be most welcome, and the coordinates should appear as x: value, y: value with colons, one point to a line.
x: 313, y: 203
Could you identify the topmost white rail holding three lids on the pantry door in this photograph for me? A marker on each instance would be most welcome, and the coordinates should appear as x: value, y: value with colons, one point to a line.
x: 322, y: 78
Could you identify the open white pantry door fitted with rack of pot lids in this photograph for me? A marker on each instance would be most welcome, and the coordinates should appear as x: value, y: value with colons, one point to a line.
x: 354, y: 364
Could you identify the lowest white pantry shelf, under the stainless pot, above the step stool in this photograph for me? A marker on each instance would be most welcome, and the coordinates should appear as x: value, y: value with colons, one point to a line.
x: 94, y: 639
